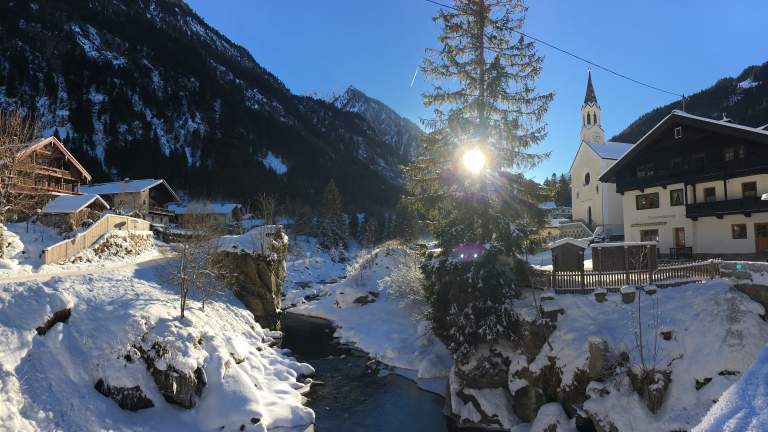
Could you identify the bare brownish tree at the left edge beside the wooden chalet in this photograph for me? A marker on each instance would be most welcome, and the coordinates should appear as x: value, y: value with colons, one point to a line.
x: 16, y: 132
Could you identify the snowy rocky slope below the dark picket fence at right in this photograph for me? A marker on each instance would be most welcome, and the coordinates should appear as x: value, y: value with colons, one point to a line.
x: 716, y: 334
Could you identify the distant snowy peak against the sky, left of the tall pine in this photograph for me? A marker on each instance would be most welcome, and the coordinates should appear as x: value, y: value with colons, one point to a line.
x: 401, y: 134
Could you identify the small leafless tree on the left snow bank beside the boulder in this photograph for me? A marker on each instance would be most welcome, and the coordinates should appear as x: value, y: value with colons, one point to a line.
x: 197, y: 267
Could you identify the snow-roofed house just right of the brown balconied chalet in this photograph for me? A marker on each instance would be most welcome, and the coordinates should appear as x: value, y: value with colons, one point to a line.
x: 148, y: 197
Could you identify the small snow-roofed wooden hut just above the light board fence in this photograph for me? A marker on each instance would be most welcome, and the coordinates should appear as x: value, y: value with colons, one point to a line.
x: 69, y: 212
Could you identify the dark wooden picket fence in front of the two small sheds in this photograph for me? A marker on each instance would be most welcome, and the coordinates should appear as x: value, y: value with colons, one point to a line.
x: 590, y: 280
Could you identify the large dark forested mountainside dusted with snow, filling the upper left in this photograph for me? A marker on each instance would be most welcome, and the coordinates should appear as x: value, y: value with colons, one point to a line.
x: 146, y: 88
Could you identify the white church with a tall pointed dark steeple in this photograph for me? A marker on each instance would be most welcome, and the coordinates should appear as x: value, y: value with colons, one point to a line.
x: 596, y: 203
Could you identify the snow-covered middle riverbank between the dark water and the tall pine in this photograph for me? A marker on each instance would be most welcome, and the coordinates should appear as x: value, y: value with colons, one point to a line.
x: 375, y: 307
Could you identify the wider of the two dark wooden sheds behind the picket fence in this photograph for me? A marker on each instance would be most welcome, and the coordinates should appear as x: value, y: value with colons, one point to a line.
x: 625, y: 256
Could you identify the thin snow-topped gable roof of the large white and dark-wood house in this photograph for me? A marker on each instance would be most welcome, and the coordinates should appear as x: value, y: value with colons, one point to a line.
x: 682, y: 117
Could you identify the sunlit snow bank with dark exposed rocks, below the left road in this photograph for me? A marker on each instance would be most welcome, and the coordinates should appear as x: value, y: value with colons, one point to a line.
x: 47, y: 382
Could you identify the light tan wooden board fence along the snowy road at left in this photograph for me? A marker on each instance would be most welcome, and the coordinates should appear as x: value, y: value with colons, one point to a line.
x: 66, y: 249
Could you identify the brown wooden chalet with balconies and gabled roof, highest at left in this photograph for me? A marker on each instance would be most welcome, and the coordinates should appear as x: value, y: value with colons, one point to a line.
x: 45, y: 166
